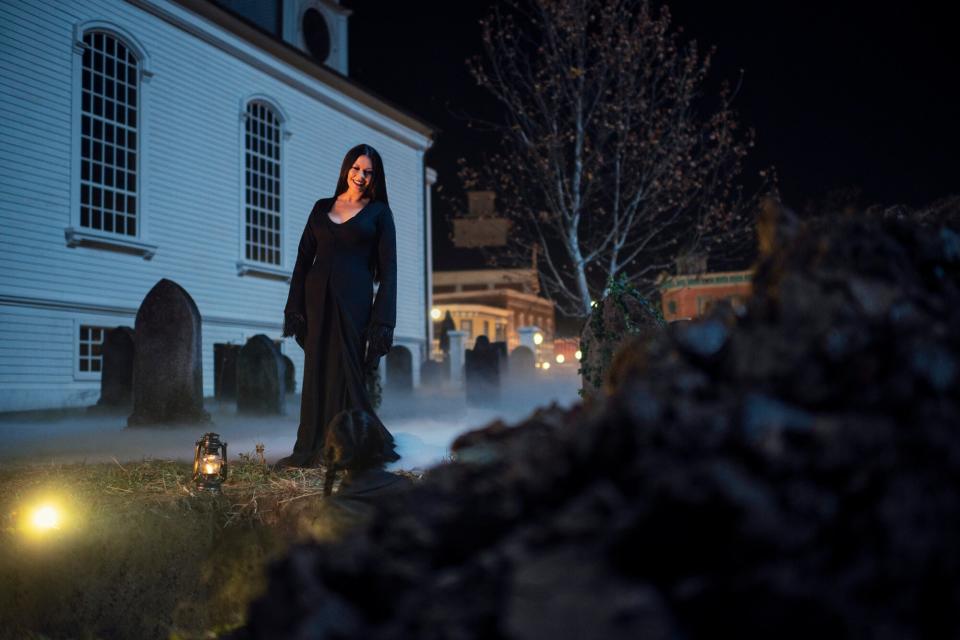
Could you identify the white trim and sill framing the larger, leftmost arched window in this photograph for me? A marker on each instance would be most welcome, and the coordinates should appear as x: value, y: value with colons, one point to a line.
x: 74, y: 234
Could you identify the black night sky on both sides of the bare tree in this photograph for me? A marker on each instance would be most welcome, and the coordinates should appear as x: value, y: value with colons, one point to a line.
x: 841, y: 94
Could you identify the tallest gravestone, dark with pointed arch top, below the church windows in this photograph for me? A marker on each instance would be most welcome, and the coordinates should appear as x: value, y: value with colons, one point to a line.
x: 167, y: 363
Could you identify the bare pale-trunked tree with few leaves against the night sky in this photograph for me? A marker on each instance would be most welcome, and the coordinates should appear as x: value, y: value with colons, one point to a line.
x: 613, y: 161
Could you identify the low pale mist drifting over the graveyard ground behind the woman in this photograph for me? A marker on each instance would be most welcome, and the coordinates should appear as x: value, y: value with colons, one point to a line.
x: 424, y: 424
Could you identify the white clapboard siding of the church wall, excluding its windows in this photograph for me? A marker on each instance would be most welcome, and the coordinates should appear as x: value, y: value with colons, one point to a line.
x: 190, y: 194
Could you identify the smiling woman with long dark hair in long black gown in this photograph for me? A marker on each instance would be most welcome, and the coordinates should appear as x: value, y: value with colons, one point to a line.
x: 349, y: 243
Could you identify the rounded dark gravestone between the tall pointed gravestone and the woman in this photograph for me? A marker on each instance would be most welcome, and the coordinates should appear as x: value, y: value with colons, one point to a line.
x: 261, y: 377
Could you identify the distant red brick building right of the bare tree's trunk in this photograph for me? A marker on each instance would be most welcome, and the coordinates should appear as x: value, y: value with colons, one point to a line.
x: 685, y: 297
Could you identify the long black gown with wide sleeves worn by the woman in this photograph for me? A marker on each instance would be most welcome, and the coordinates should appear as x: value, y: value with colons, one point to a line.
x: 332, y: 286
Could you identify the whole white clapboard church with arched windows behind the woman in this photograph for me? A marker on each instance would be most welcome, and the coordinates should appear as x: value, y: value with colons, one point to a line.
x: 179, y: 139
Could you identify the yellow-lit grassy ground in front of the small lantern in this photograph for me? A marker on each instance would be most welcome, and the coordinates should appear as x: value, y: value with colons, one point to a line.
x: 140, y: 553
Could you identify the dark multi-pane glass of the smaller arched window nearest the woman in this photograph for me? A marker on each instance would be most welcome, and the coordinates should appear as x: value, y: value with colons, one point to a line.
x: 262, y: 200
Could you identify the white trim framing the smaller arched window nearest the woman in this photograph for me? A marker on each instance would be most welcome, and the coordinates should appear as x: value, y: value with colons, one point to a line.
x: 245, y: 267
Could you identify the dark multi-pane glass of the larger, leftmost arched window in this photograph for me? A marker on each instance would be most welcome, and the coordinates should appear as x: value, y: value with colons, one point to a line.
x: 109, y: 141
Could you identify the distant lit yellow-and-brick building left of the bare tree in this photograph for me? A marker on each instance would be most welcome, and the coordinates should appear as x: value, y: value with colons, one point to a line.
x: 492, y: 302
